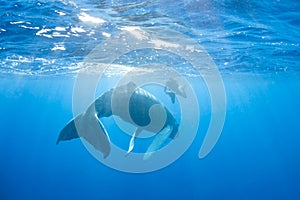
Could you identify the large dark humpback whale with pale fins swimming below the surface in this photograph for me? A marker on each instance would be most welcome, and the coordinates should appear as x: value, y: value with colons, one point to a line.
x: 88, y: 125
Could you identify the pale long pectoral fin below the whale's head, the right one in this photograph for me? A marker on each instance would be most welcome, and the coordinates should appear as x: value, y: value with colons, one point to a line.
x: 158, y: 142
